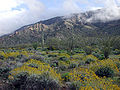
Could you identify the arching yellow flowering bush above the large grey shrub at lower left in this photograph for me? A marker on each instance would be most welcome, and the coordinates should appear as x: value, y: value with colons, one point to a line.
x: 31, y: 70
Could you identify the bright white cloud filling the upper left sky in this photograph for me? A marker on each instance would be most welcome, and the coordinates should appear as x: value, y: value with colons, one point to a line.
x: 11, y: 20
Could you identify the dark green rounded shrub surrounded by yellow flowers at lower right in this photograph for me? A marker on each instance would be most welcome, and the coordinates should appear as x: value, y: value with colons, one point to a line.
x: 105, y: 71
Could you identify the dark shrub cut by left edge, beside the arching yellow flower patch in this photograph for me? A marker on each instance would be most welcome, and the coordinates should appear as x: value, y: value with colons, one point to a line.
x: 4, y: 72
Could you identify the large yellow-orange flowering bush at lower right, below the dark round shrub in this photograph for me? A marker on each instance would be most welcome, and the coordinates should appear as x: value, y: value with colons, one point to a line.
x: 89, y: 80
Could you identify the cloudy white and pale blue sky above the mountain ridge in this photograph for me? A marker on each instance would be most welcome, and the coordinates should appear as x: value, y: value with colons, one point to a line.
x: 17, y: 13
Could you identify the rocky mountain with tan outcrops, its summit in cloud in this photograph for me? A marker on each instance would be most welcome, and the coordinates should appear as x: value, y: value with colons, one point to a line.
x: 62, y: 27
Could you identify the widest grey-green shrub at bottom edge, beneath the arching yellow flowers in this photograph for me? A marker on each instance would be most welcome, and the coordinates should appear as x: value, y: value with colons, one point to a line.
x: 41, y: 82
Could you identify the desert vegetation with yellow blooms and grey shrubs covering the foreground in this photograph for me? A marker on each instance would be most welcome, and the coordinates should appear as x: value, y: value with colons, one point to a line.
x: 89, y: 63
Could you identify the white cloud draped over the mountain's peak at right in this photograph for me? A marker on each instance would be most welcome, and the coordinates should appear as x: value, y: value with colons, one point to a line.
x: 111, y: 11
